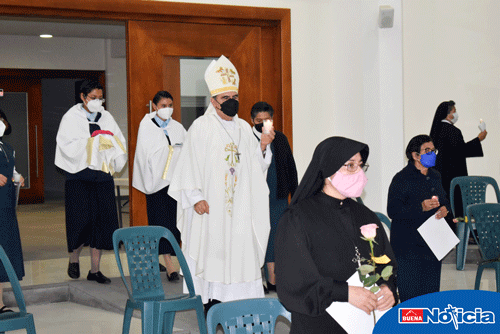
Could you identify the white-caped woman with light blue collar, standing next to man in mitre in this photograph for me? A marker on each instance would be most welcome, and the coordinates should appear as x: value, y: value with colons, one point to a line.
x: 159, y: 144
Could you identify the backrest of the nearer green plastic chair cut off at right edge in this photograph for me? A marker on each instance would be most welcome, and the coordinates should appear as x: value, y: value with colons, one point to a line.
x: 487, y: 222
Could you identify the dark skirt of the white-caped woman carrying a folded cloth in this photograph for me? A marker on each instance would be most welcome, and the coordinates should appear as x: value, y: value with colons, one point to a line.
x: 91, y: 213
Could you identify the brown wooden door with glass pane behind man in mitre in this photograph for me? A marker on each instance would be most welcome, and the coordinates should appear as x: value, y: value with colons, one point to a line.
x: 155, y: 48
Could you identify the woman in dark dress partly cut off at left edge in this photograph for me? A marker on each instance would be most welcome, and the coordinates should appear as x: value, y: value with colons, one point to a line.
x: 9, y: 229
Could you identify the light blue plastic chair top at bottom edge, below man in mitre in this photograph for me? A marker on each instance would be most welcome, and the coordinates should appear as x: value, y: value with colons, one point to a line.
x: 246, y: 316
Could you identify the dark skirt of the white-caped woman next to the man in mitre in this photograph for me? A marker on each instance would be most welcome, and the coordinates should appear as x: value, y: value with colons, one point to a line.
x: 162, y: 211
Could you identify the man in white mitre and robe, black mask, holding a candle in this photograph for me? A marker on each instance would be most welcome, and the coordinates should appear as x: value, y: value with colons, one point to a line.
x: 222, y: 195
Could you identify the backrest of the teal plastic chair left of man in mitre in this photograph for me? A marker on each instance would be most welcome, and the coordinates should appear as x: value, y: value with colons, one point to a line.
x: 141, y: 246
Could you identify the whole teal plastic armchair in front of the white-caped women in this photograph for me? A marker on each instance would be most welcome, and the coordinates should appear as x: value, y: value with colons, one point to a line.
x: 145, y: 291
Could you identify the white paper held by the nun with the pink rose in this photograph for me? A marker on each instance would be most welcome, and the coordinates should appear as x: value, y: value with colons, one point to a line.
x: 351, y: 318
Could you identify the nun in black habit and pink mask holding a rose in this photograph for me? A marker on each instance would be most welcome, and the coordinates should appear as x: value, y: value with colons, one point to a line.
x: 318, y: 238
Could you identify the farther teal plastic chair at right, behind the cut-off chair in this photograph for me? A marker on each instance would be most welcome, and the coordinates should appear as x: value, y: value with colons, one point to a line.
x: 473, y: 191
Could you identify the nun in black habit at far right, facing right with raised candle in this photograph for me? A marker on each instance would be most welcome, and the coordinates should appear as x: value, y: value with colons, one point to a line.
x: 452, y: 149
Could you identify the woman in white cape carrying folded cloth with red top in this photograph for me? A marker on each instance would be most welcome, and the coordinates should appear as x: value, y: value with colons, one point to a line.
x: 90, y: 149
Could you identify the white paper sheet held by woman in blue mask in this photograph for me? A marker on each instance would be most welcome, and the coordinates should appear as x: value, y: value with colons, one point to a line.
x: 439, y: 236
